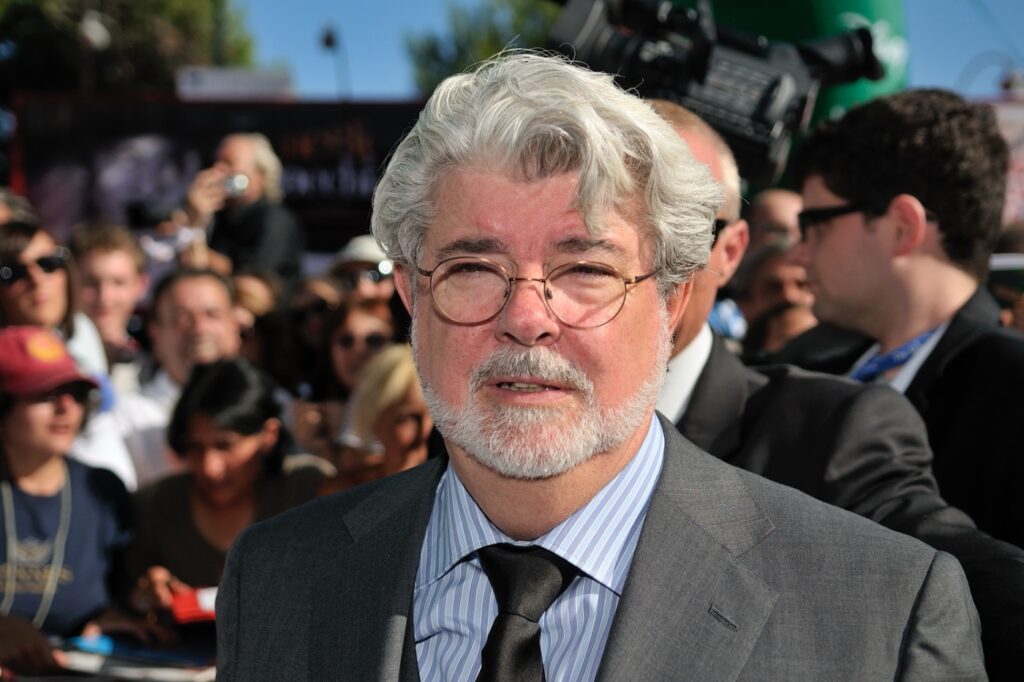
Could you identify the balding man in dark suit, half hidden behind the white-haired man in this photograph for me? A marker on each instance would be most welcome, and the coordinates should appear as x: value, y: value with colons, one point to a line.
x: 860, y: 447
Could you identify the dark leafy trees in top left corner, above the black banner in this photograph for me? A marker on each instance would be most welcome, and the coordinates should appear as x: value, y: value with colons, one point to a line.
x: 42, y: 46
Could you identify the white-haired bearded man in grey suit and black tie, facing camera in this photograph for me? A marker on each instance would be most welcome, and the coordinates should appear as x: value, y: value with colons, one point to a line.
x: 545, y: 227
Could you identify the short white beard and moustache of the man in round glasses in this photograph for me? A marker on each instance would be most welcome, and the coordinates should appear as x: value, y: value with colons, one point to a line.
x: 540, y: 442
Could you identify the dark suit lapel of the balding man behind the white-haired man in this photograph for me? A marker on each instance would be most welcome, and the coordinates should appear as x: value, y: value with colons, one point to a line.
x: 713, y: 417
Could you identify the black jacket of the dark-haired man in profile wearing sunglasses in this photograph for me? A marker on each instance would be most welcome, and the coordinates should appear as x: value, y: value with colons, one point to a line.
x: 970, y: 393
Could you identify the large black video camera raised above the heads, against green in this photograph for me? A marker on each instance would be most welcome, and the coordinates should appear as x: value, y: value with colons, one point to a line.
x: 758, y: 95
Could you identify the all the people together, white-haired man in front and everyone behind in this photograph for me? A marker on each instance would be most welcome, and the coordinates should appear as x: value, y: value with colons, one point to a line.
x: 176, y: 390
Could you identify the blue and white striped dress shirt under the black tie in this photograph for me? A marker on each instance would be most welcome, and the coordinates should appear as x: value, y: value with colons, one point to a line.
x: 454, y: 605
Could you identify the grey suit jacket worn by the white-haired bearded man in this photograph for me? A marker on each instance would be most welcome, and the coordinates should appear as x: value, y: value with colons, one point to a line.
x: 735, y: 578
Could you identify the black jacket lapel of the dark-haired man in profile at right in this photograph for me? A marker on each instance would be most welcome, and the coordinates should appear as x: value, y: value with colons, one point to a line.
x: 979, y: 315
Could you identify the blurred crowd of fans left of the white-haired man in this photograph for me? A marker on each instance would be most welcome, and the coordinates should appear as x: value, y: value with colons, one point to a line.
x: 151, y: 411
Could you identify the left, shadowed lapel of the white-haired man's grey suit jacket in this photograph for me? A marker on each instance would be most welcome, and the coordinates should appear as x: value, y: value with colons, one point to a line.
x: 362, y: 619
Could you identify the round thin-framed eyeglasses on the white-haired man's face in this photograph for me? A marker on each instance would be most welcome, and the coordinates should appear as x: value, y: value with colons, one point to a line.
x: 583, y: 294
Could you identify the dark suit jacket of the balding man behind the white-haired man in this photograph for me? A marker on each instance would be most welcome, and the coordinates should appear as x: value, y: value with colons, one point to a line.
x: 865, y: 449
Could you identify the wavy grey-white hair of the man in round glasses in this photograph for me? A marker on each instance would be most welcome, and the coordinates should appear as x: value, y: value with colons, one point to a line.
x: 536, y: 115
